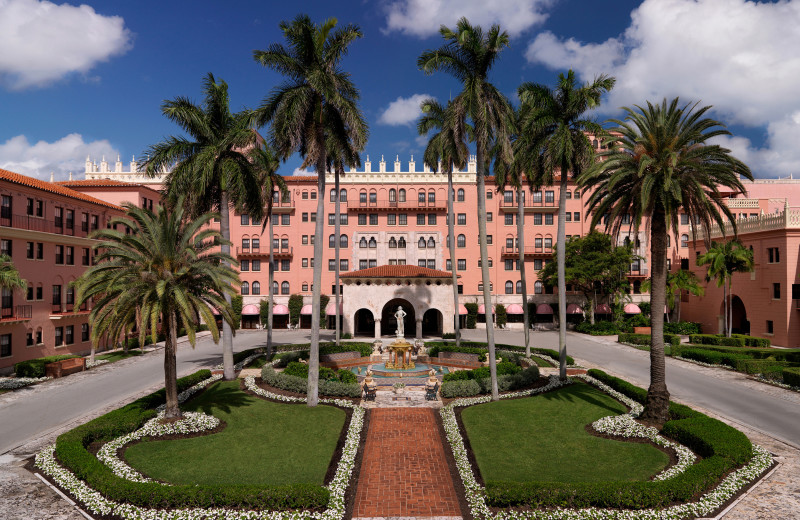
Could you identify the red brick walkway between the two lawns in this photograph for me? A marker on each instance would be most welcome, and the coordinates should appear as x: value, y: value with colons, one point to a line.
x: 404, y: 471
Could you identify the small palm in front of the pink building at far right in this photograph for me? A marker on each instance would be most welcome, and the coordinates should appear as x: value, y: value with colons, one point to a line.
x: 723, y: 261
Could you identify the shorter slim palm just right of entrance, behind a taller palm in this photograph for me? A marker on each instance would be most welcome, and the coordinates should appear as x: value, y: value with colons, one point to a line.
x: 448, y: 148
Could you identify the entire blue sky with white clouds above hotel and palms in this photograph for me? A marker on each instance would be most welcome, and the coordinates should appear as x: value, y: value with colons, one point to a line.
x: 90, y: 79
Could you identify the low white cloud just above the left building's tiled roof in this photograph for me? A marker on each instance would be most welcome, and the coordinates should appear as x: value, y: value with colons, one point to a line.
x: 68, y: 154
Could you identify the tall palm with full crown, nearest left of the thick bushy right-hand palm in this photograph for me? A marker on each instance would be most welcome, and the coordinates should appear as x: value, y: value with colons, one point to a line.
x: 557, y: 117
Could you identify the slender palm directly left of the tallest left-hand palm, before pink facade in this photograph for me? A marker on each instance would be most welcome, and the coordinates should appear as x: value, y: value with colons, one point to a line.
x: 266, y: 164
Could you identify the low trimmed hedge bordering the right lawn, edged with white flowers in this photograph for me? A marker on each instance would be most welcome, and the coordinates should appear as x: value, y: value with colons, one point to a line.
x: 723, y: 447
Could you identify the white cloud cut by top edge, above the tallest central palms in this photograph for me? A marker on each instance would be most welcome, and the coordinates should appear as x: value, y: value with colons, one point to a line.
x: 423, y: 18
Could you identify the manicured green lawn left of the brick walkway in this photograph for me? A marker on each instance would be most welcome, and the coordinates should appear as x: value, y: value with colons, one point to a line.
x: 264, y: 443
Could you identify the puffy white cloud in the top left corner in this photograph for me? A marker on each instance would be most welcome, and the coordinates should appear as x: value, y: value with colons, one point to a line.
x: 42, y: 42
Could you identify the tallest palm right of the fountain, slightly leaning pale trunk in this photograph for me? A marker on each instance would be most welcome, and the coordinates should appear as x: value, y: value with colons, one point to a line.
x: 468, y: 55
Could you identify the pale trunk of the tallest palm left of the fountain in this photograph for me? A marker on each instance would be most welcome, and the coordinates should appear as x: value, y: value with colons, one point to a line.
x: 313, y: 359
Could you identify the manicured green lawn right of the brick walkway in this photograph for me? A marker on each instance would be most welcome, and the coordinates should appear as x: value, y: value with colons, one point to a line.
x: 543, y: 438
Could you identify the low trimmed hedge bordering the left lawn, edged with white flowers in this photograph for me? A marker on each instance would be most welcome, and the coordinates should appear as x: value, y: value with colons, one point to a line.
x: 71, y: 450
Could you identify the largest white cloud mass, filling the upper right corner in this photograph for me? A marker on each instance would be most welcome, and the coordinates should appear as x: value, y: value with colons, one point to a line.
x: 739, y: 56
